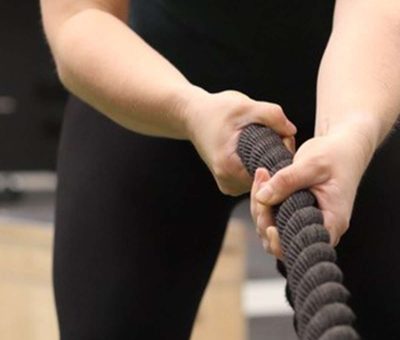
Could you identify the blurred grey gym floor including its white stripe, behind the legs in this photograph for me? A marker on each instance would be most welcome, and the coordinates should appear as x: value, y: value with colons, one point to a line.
x: 268, y: 314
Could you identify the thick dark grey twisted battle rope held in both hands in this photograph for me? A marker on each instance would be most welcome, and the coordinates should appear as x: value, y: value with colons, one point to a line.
x: 314, y: 282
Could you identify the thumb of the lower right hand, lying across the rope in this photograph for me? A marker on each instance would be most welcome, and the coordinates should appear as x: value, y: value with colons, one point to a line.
x: 289, y: 180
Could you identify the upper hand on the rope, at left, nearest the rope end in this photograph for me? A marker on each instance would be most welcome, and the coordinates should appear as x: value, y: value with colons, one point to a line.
x: 214, y: 122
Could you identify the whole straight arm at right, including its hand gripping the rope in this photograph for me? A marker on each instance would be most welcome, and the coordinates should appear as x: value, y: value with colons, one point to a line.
x: 358, y: 103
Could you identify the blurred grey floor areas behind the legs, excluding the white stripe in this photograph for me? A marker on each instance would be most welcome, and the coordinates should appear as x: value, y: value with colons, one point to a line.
x: 39, y: 206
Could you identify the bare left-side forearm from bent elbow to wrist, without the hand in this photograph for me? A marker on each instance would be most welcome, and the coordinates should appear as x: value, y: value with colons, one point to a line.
x: 105, y: 63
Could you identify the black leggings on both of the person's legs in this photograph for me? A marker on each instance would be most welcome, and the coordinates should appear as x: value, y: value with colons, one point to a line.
x: 140, y: 223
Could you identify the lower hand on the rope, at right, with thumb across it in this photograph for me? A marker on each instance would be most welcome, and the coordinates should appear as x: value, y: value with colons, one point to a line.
x: 331, y: 167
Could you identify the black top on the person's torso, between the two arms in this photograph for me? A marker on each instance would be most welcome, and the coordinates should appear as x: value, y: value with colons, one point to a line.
x: 268, y: 49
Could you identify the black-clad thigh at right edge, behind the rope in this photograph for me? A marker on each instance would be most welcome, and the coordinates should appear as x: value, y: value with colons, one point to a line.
x: 370, y: 253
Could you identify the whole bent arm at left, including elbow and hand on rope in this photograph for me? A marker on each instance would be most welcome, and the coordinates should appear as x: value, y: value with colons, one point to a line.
x: 102, y: 61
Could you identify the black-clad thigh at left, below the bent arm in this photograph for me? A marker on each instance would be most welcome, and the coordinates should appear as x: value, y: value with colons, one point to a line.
x: 139, y: 224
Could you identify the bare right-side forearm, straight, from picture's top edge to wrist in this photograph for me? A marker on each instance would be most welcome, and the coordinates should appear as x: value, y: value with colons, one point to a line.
x: 359, y: 77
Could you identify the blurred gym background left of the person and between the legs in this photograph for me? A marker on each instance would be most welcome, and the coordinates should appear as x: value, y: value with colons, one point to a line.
x: 245, y: 297
